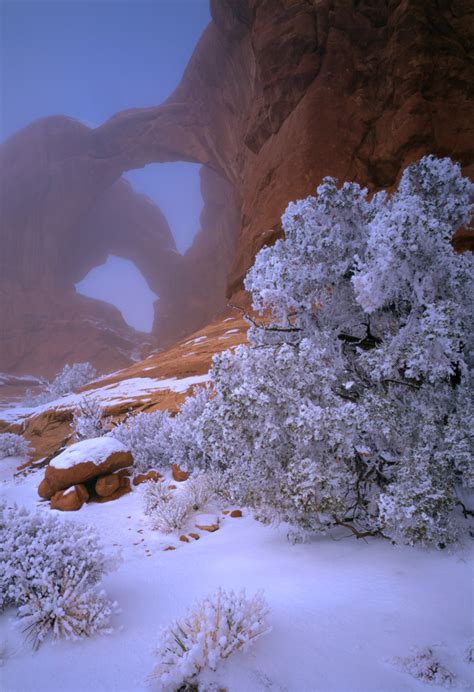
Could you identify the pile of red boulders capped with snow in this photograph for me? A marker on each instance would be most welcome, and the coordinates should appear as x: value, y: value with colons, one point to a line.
x: 91, y: 470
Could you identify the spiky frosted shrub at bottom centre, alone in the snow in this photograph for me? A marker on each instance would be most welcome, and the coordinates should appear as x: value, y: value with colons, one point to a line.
x: 212, y: 631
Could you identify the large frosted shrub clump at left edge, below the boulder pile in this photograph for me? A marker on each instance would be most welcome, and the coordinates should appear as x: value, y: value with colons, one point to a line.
x: 49, y: 570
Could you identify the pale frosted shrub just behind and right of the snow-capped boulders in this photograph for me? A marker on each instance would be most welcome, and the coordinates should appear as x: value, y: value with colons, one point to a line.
x: 147, y: 436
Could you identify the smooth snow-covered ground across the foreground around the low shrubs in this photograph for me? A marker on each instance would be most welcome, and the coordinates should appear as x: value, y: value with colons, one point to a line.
x: 341, y: 609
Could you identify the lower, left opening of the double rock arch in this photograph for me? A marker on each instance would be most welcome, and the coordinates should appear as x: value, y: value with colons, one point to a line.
x: 119, y: 282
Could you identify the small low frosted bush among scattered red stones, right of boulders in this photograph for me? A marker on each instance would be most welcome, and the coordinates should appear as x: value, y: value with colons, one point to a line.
x: 167, y: 510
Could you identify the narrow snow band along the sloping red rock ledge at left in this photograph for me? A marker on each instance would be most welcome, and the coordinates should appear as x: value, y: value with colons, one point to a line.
x: 123, y: 391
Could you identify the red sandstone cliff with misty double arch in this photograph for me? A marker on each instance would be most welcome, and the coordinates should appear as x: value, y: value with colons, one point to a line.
x: 277, y: 94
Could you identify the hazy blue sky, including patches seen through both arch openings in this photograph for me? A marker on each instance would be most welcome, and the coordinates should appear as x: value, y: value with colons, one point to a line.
x: 90, y: 59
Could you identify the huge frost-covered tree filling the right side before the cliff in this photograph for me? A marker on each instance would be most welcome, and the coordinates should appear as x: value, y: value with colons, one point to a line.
x: 351, y: 406
